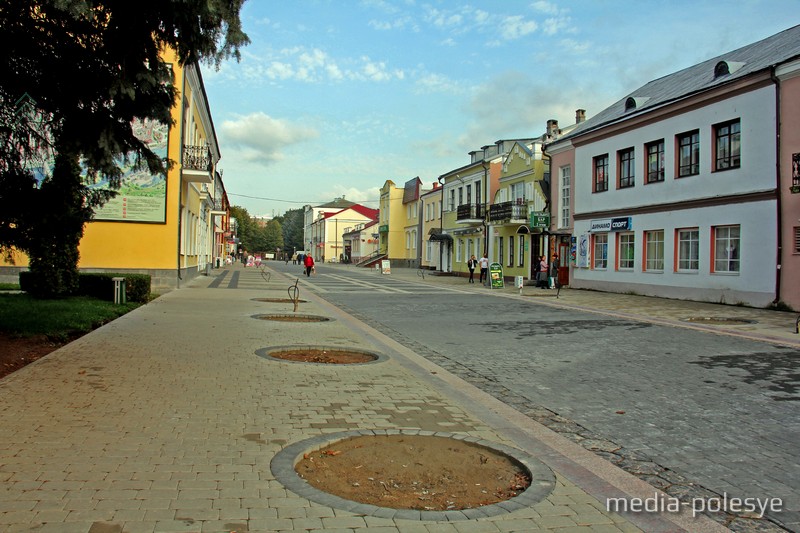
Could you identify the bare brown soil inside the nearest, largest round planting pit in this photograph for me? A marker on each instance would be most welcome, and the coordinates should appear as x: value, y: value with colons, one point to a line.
x: 425, y: 473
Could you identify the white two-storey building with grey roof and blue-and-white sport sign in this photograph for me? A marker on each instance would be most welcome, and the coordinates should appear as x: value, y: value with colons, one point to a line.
x: 675, y: 189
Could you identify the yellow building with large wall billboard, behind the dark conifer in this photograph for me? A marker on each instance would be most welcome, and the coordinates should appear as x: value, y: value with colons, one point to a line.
x: 172, y: 226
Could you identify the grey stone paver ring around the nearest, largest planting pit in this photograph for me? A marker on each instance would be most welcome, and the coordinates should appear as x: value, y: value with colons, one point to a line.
x: 282, y: 466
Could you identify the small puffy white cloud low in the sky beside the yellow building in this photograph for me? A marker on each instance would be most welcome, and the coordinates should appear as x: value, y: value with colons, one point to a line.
x: 261, y: 138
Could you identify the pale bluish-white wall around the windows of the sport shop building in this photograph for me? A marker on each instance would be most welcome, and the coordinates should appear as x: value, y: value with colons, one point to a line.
x: 657, y: 206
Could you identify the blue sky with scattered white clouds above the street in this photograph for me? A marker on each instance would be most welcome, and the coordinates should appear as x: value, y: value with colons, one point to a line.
x: 333, y: 98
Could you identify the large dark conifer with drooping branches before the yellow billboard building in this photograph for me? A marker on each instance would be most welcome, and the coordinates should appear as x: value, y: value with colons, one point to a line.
x: 88, y: 68
